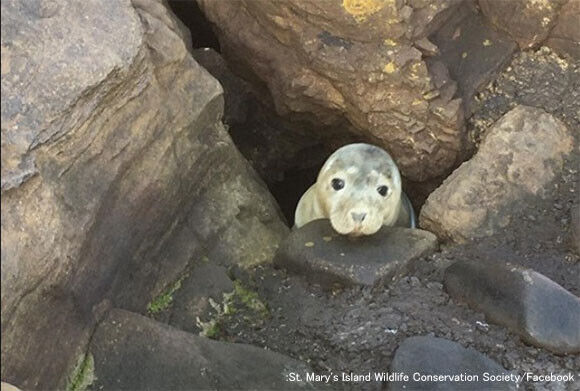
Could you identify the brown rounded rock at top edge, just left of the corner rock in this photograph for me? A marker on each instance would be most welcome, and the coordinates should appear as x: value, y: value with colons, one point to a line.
x: 527, y: 21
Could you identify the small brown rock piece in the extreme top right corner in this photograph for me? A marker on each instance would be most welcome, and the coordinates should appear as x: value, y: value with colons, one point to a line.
x: 565, y: 36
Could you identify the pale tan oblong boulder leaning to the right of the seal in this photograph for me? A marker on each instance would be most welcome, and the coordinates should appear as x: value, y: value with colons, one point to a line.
x: 517, y: 158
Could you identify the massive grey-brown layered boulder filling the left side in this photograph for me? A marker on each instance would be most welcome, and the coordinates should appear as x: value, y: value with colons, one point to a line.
x: 116, y: 173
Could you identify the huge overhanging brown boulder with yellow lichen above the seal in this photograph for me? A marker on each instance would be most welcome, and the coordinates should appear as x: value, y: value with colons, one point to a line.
x: 356, y: 60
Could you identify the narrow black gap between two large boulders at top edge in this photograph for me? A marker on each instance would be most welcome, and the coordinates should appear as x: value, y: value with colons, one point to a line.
x: 202, y: 34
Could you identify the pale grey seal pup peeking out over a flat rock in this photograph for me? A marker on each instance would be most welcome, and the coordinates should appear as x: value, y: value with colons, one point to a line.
x: 359, y: 189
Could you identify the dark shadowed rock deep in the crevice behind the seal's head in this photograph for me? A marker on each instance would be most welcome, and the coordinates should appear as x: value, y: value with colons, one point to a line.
x: 284, y: 151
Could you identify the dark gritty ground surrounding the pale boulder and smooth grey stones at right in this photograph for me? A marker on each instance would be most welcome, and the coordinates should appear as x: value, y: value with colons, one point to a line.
x: 358, y: 330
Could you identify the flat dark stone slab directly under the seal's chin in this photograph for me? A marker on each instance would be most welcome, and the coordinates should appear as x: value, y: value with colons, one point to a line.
x: 327, y: 258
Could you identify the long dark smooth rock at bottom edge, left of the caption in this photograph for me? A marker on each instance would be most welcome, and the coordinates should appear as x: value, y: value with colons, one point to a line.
x: 132, y: 352
